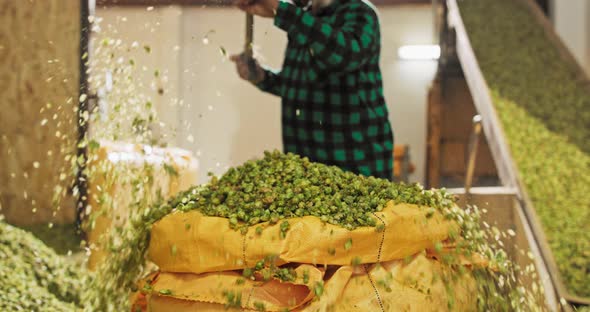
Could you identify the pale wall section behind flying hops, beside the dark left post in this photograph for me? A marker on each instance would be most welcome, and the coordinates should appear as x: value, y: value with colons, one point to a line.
x: 159, y: 29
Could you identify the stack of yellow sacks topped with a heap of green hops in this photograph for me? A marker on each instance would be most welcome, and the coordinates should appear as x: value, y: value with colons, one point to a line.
x: 282, y: 234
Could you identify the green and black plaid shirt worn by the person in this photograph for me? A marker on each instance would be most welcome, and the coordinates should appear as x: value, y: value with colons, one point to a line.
x: 333, y: 109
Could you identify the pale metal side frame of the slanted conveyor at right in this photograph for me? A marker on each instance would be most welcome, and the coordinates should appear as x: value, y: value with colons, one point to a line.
x: 509, y: 205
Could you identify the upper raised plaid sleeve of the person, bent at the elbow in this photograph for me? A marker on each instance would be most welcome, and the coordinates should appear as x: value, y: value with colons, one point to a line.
x: 341, y: 49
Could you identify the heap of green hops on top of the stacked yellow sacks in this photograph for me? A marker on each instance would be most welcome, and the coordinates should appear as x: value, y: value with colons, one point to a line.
x: 281, y: 186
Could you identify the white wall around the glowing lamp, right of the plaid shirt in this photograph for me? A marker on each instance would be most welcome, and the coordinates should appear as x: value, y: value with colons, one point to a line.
x: 406, y: 83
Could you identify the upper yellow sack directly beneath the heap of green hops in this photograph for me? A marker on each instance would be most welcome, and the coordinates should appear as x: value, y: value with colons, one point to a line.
x: 193, y: 243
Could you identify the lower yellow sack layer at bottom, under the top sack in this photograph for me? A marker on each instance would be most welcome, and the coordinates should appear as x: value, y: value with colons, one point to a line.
x: 390, y: 286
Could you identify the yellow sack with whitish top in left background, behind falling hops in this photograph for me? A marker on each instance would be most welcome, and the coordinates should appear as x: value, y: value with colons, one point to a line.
x: 114, y: 165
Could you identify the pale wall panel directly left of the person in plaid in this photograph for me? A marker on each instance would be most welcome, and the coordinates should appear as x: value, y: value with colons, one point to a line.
x: 231, y: 121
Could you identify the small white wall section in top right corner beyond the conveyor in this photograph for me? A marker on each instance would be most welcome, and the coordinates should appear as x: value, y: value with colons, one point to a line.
x: 572, y: 22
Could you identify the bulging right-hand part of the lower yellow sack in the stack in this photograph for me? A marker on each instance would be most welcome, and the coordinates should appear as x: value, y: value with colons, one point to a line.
x: 394, y: 286
